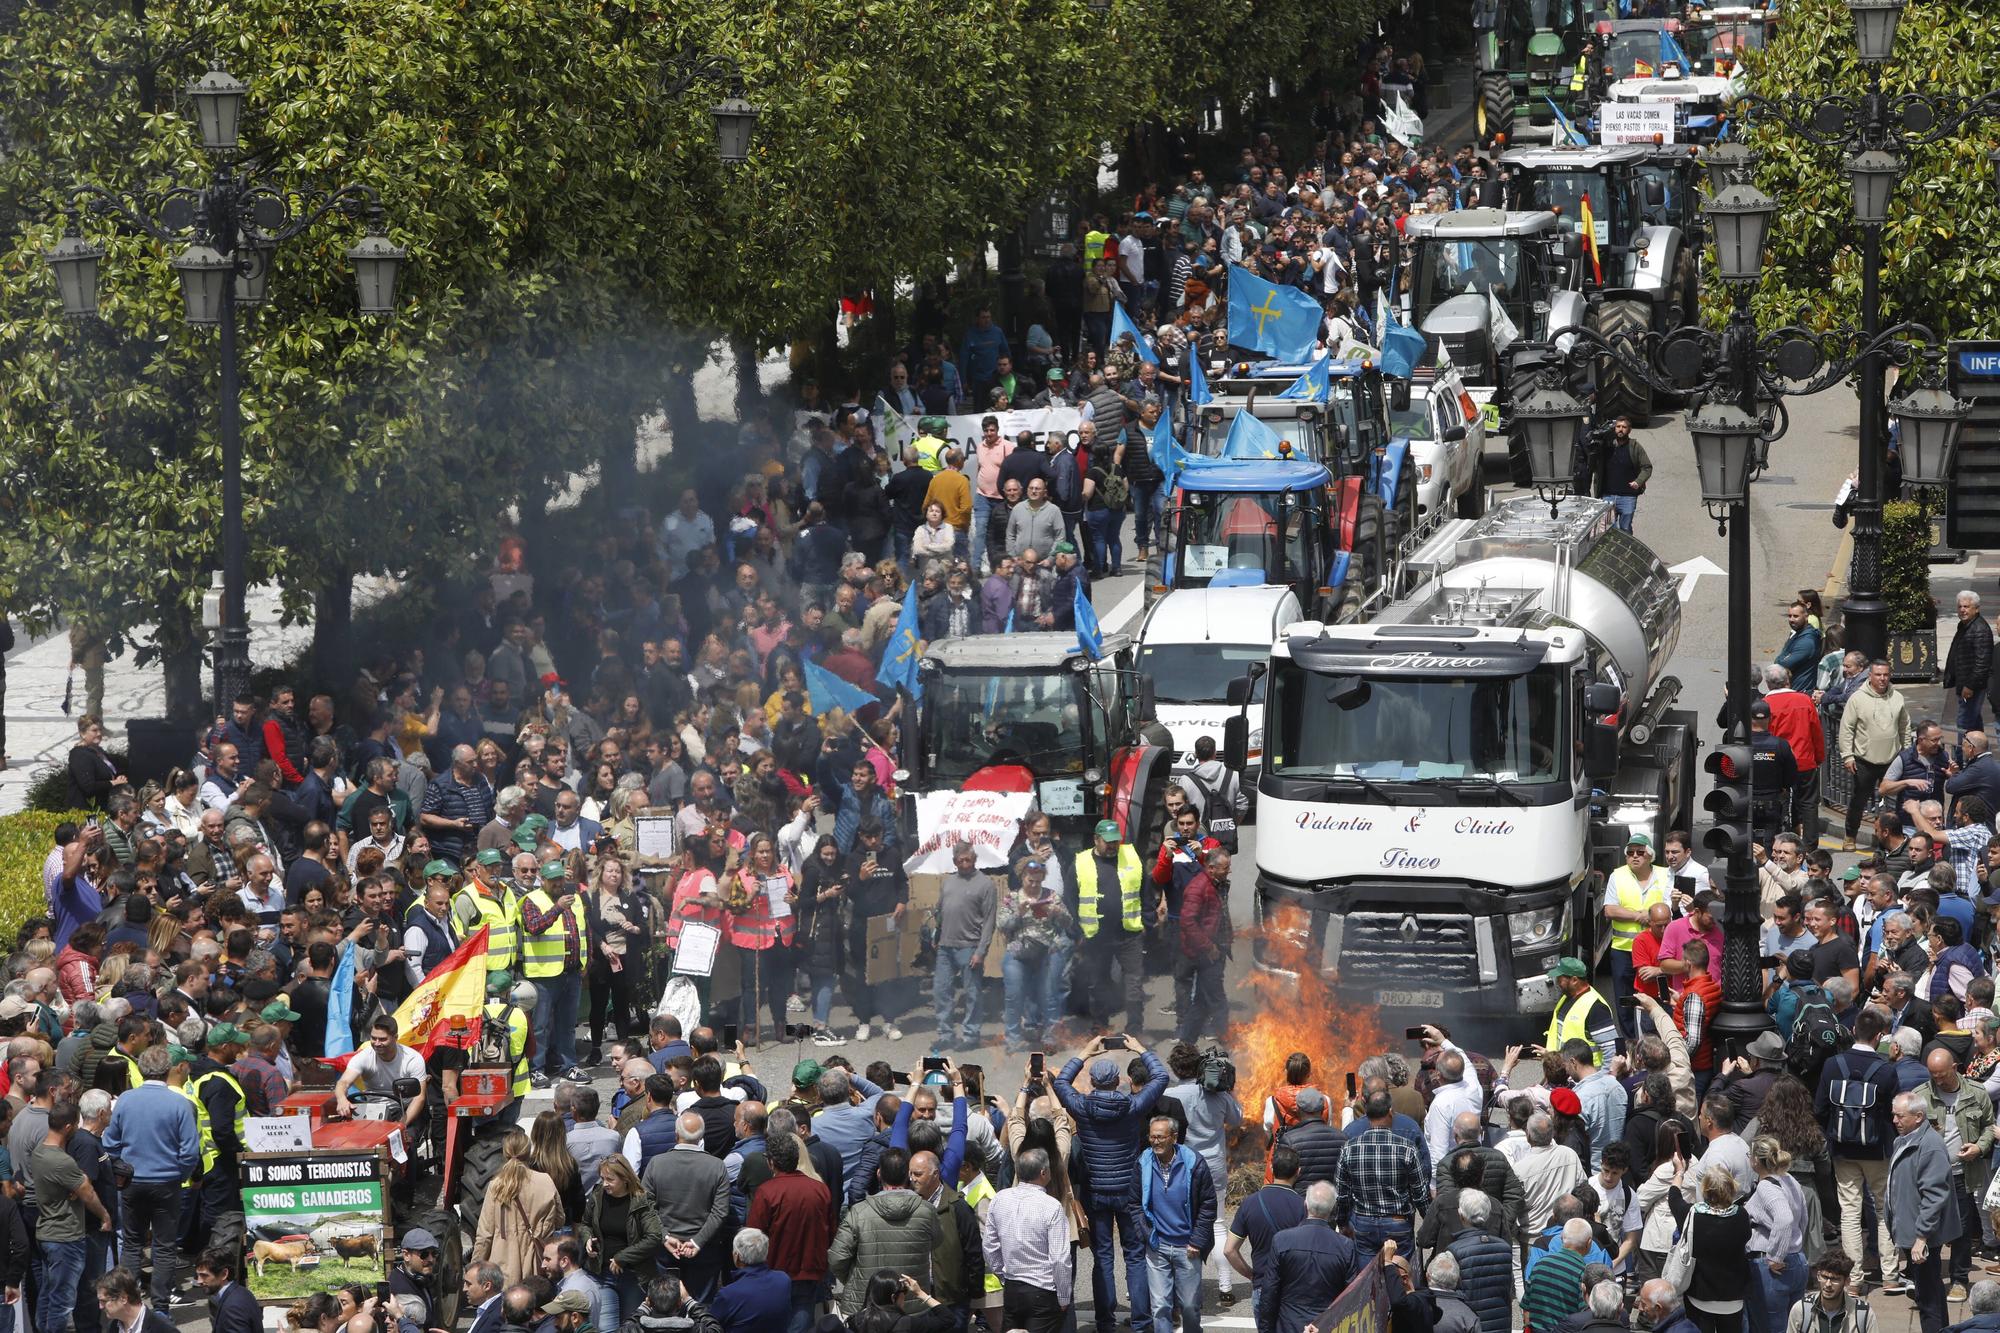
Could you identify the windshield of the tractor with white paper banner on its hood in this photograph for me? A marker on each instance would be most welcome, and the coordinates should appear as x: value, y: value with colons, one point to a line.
x: 1005, y: 718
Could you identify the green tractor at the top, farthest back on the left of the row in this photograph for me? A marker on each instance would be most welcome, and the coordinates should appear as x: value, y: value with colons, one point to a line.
x: 1531, y: 53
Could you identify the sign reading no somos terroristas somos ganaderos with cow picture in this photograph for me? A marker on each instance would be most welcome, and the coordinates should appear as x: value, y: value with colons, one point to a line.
x: 313, y: 1224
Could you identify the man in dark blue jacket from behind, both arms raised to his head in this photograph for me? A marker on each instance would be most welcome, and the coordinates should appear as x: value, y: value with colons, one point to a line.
x: 1111, y: 1126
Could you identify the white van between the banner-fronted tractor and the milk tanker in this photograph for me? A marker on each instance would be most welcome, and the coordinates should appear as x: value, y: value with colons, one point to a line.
x: 1193, y: 643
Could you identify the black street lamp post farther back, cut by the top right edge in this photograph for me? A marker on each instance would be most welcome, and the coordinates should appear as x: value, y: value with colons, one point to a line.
x: 1875, y: 135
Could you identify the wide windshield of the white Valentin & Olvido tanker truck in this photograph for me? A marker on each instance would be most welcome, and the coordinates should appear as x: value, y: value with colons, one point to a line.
x: 1415, y: 730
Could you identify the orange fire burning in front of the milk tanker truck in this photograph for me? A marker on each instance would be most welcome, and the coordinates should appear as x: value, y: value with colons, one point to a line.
x: 1299, y: 1014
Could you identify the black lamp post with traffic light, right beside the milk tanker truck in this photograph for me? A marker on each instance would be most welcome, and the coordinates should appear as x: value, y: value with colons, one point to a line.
x: 1737, y: 379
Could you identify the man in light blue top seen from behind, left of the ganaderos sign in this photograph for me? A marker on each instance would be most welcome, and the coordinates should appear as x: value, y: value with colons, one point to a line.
x: 155, y: 1134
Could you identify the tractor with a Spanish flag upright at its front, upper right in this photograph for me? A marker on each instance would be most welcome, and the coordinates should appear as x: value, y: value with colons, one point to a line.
x: 1645, y: 277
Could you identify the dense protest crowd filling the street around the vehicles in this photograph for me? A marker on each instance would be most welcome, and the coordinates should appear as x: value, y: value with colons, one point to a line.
x: 669, y: 772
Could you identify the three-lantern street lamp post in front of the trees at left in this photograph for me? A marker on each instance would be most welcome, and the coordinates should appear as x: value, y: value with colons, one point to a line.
x: 233, y: 225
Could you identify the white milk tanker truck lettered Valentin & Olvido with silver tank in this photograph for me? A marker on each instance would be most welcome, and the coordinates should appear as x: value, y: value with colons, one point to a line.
x: 1445, y: 788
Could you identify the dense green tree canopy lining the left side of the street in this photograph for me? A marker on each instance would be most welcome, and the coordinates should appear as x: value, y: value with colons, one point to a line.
x: 569, y: 229
